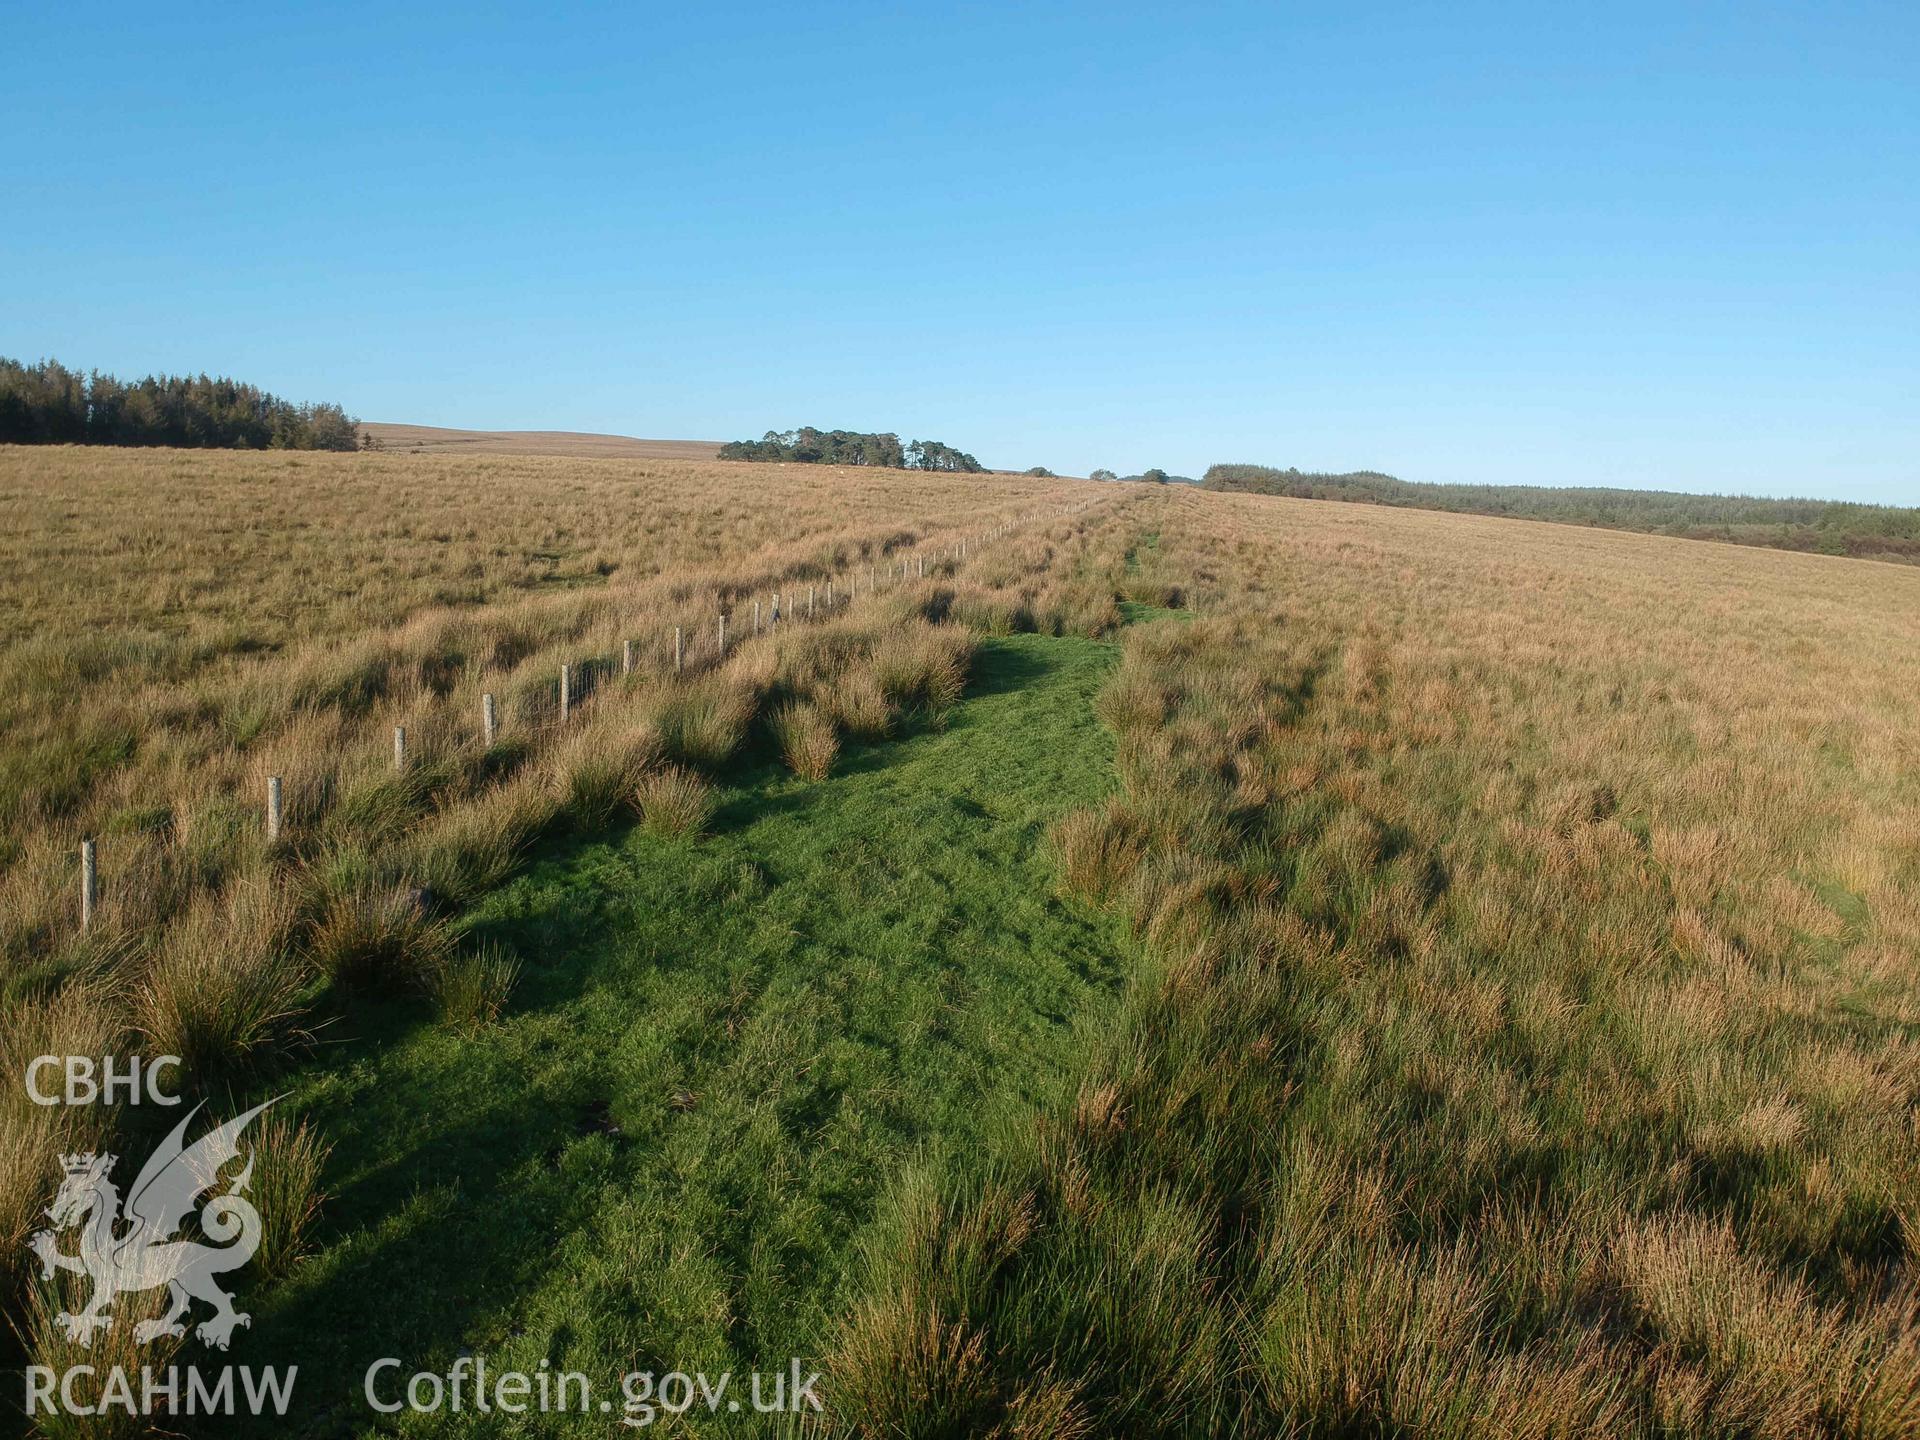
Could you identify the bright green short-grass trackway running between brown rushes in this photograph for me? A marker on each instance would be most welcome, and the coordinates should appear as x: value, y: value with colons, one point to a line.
x: 719, y: 1057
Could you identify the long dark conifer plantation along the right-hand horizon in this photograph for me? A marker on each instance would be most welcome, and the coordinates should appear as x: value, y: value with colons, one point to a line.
x: 1886, y: 533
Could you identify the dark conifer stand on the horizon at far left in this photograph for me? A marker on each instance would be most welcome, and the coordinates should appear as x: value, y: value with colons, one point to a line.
x: 49, y: 404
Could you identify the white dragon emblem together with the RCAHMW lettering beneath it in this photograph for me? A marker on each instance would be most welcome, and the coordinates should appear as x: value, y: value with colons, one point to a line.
x: 135, y: 1247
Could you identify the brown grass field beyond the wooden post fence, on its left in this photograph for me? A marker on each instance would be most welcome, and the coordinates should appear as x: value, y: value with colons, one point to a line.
x: 204, y: 621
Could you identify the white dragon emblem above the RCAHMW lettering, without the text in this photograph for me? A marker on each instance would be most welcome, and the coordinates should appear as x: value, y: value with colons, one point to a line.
x: 147, y: 1255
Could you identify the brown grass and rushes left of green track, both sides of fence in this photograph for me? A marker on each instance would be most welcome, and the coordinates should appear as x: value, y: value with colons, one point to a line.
x: 195, y: 623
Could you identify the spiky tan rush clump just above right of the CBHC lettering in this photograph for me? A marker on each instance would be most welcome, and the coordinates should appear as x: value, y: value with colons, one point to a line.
x: 224, y: 984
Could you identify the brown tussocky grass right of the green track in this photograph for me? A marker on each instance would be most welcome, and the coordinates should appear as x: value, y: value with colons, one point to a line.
x: 1529, y: 1045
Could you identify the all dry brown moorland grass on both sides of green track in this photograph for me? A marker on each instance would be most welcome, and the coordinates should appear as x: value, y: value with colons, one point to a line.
x: 1529, y: 1034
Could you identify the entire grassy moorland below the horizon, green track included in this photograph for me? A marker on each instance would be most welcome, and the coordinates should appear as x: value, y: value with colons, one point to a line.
x: 1522, y: 1032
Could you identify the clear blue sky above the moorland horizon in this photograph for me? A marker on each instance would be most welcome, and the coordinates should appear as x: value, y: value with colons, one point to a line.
x: 1650, y: 245
